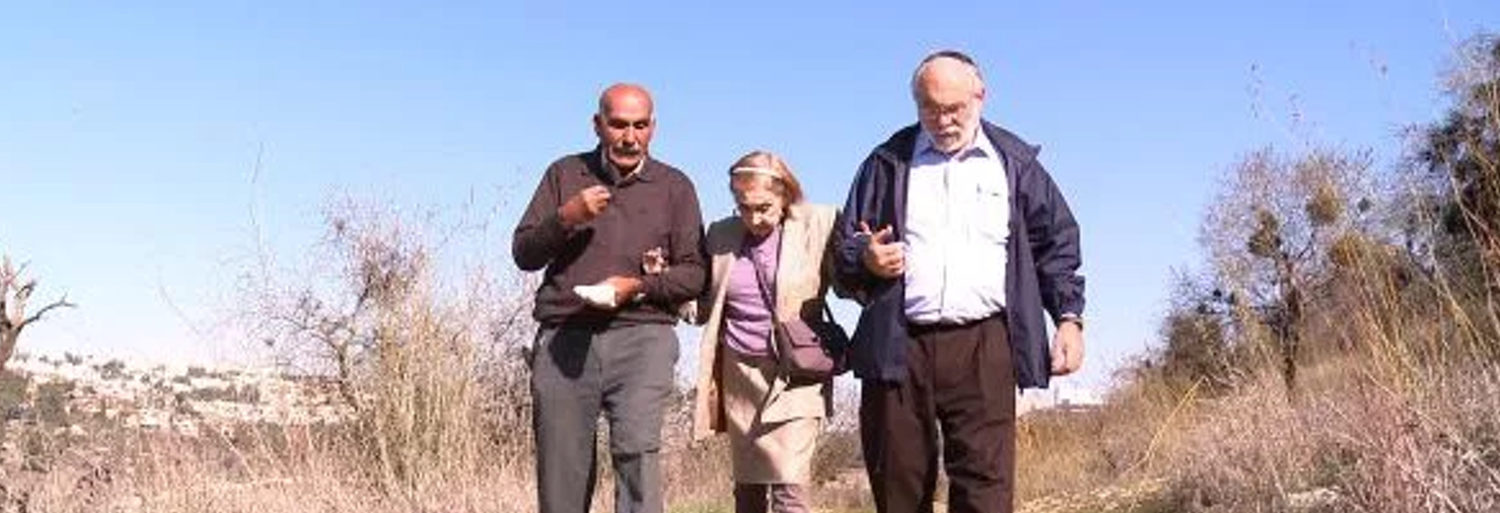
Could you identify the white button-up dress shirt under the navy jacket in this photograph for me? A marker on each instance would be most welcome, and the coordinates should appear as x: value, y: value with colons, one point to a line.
x: 958, y: 221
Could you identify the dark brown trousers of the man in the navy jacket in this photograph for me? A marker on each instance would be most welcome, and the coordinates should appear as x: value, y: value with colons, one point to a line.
x: 961, y: 385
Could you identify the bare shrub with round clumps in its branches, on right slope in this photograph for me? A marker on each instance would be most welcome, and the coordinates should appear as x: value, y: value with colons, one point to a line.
x: 1270, y: 238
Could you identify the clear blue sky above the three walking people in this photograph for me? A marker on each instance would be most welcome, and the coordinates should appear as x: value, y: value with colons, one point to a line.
x: 128, y: 133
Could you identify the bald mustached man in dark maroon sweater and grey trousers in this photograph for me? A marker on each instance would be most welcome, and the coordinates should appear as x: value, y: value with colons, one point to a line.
x: 605, y: 341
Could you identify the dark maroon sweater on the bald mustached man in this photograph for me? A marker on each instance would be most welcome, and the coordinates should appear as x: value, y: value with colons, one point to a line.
x: 656, y: 208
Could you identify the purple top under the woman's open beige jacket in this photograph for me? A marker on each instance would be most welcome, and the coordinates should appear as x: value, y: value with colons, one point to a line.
x: 748, y: 319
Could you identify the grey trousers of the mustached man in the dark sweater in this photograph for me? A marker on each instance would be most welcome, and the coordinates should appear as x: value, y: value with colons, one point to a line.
x: 626, y: 373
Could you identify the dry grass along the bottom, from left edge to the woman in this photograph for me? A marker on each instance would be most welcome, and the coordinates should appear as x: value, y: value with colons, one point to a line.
x: 274, y: 469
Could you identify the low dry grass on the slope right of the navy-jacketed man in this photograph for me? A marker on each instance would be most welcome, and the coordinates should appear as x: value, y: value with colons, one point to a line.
x: 1354, y: 440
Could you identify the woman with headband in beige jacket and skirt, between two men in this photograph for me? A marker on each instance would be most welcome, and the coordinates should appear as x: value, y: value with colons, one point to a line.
x: 778, y: 242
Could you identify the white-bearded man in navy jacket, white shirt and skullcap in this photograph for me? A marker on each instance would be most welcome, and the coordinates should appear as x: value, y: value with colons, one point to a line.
x: 955, y: 241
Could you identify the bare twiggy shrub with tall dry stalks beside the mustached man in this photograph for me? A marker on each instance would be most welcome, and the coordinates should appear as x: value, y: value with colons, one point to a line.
x: 431, y: 367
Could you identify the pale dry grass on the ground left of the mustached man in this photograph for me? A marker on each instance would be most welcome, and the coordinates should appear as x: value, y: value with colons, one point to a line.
x: 301, y: 472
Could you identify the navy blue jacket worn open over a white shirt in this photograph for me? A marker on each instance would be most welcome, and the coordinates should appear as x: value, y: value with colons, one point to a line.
x: 1042, y: 266
